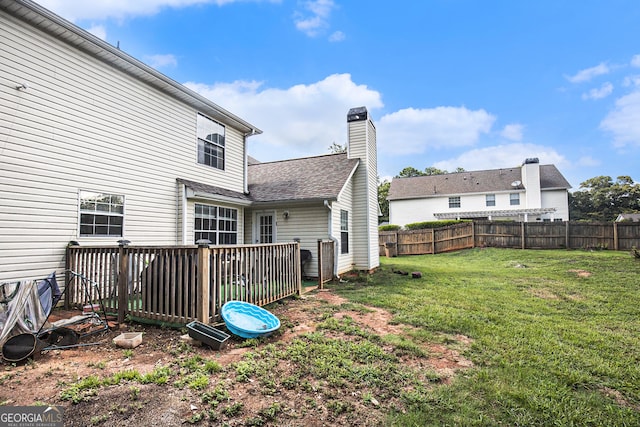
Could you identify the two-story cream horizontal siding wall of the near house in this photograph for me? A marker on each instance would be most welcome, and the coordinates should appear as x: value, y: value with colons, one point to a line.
x: 82, y: 125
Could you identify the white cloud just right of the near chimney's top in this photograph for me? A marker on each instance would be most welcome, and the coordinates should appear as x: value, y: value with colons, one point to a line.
x: 412, y: 131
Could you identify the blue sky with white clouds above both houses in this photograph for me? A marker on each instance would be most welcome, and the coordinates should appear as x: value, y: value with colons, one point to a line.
x: 448, y: 83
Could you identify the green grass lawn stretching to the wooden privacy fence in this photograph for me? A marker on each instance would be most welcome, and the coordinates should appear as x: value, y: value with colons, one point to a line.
x: 556, y: 334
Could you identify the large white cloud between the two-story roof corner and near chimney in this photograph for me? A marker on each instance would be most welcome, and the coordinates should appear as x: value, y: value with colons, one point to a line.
x: 302, y: 120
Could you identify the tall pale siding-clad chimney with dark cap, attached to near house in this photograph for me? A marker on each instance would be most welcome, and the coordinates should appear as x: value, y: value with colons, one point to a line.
x: 362, y: 145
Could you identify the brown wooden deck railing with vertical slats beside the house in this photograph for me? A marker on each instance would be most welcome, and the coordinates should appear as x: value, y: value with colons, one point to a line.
x: 181, y: 283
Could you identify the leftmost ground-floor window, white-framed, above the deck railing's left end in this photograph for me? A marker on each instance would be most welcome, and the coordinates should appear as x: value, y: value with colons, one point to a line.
x: 101, y: 214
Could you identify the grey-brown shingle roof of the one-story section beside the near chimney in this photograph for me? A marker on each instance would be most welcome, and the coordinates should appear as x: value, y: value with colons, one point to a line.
x: 310, y: 178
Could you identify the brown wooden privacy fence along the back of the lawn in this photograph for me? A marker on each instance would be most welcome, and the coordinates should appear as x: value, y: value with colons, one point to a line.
x: 502, y: 234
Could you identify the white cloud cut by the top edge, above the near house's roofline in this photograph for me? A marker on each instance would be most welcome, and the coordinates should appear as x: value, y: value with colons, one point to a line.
x: 75, y: 10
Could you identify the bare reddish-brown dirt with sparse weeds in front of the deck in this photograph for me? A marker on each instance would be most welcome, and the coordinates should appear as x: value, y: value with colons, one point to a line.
x: 43, y: 380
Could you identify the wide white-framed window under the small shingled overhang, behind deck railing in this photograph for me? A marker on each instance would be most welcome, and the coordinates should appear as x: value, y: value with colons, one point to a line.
x: 217, y: 224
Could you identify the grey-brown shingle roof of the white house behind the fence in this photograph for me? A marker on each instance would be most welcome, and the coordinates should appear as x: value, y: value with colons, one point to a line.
x: 470, y: 182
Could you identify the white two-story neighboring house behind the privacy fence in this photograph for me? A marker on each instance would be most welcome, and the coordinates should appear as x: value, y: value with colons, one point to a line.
x: 532, y: 192
